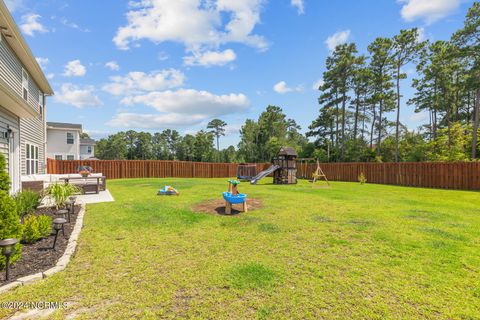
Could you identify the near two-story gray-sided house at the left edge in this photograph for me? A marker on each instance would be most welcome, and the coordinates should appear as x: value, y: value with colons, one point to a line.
x: 23, y: 88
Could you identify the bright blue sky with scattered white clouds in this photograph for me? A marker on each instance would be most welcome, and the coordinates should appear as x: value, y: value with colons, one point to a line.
x: 156, y: 64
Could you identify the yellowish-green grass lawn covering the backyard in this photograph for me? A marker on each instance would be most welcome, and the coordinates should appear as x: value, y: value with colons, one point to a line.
x: 350, y: 251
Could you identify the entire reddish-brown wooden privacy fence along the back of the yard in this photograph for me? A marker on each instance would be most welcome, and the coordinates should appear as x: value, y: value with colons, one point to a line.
x: 447, y: 175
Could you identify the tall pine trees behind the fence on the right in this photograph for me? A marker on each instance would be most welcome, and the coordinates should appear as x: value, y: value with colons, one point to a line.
x: 361, y: 98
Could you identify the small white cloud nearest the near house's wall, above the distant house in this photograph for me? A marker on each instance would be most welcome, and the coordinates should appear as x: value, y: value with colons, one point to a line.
x: 78, y: 96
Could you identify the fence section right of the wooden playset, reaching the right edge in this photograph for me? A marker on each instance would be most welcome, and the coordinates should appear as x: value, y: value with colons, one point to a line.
x: 445, y: 175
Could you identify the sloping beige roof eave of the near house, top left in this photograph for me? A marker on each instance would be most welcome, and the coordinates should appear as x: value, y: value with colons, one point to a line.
x: 13, y: 36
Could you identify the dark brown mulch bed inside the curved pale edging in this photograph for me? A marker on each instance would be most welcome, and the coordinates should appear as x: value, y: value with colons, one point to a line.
x: 39, y: 256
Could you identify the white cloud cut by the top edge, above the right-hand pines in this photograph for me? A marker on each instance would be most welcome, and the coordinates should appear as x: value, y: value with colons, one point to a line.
x: 427, y: 10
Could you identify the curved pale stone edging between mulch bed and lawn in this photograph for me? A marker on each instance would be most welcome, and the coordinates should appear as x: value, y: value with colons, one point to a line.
x: 61, y: 263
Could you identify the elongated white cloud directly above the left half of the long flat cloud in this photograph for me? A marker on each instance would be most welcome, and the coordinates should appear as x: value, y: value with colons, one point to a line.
x: 138, y: 82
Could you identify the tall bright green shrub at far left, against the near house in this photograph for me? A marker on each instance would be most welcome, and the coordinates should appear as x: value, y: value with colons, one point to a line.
x: 10, y: 226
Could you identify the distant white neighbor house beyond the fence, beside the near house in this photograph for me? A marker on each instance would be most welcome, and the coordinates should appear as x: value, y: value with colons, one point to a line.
x: 64, y: 142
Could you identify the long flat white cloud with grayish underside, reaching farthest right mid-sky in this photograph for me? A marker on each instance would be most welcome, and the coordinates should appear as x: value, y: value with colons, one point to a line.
x: 191, y: 102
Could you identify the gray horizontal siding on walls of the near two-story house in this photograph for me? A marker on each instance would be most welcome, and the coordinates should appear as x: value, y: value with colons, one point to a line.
x: 32, y: 130
